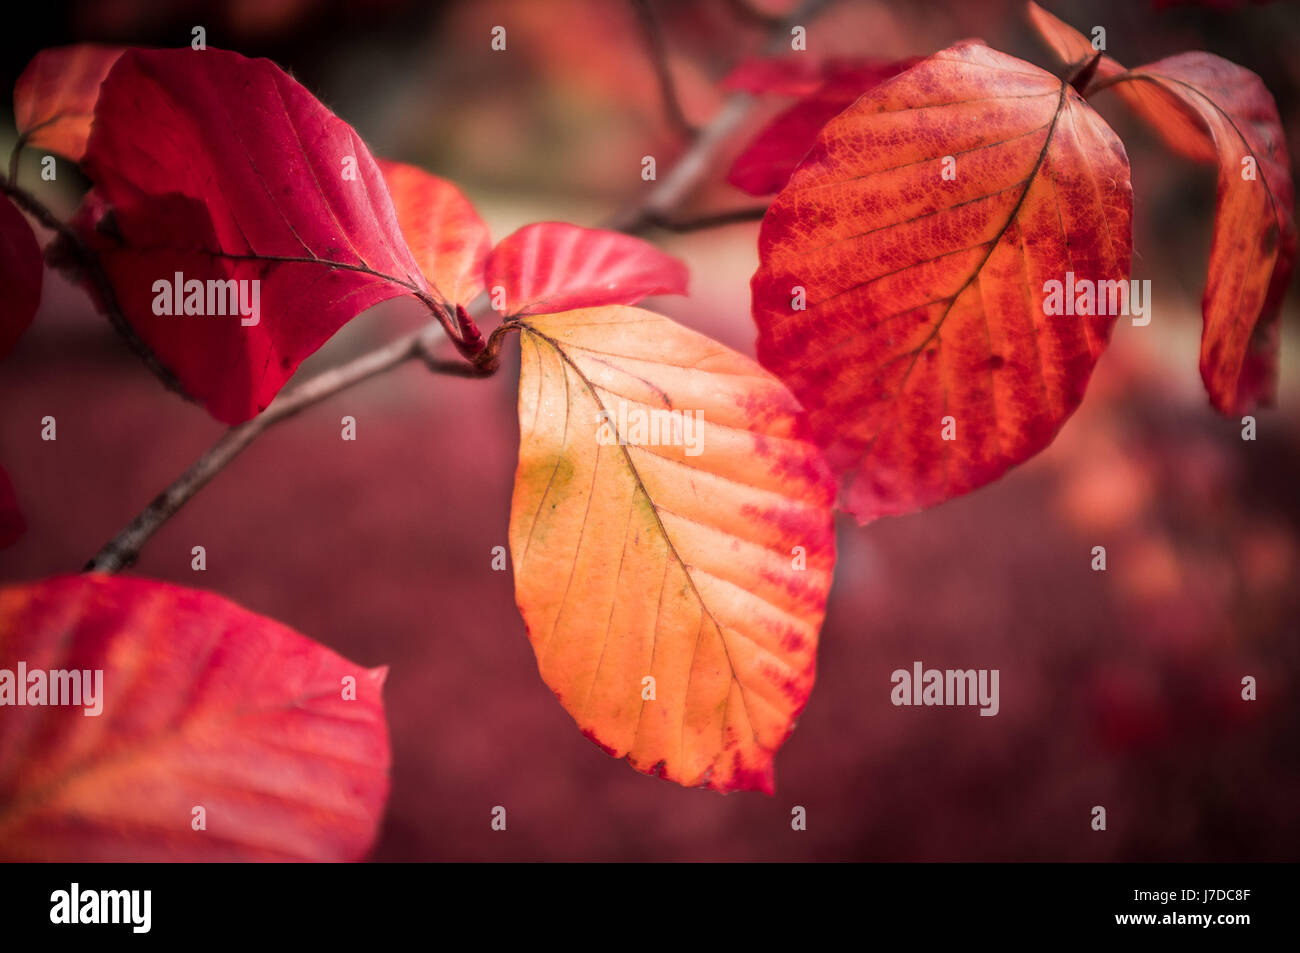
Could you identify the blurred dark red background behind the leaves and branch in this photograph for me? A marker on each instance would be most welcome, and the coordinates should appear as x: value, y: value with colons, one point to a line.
x: 1119, y: 688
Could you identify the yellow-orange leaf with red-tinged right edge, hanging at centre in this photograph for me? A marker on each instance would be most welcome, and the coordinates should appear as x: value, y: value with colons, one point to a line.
x: 673, y: 543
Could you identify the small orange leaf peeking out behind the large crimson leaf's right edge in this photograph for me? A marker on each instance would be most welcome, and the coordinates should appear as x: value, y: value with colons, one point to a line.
x: 441, y: 227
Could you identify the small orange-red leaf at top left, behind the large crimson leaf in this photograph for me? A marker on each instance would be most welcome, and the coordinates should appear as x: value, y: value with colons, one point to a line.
x: 55, y: 97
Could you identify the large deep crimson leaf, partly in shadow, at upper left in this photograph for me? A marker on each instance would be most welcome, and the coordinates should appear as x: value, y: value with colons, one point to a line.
x: 224, y: 168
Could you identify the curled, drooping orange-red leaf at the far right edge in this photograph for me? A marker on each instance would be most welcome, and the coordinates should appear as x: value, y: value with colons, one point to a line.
x: 1208, y: 109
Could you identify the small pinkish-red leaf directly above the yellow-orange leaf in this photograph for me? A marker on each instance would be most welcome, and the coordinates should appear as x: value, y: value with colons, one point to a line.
x: 553, y: 267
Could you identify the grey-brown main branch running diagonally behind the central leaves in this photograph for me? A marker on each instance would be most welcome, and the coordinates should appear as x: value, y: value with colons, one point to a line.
x: 656, y: 209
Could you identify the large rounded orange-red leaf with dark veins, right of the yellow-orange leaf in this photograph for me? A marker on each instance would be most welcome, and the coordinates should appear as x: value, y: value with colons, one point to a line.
x: 903, y: 305
